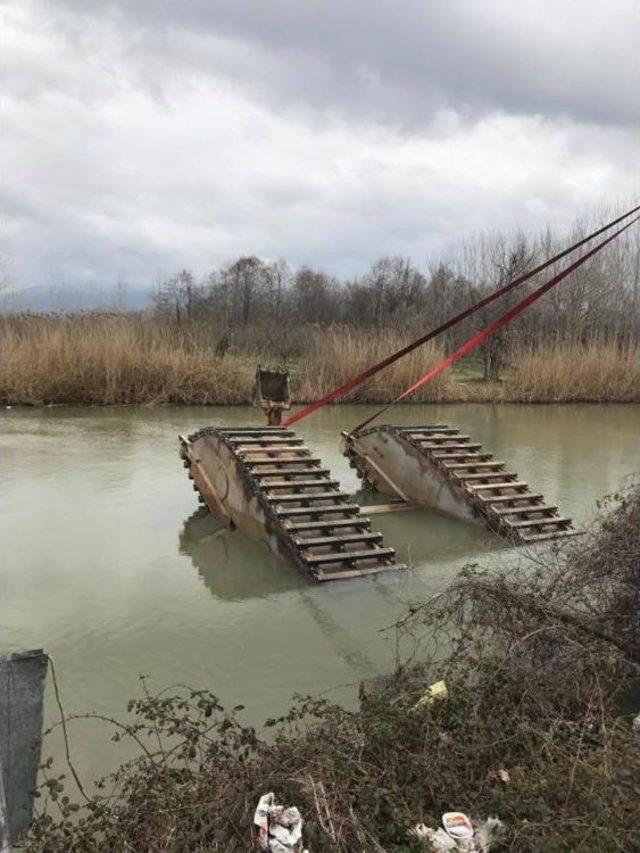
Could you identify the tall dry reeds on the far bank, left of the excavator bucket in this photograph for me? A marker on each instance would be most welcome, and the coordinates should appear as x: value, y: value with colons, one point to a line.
x: 112, y: 360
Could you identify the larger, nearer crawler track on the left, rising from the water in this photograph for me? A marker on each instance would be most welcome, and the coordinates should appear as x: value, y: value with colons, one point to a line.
x: 301, y: 506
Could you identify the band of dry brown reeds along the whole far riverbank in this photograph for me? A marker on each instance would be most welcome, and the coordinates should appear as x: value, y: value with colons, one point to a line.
x: 119, y: 359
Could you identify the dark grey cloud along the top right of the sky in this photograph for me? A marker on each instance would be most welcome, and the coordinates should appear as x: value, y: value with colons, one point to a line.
x: 398, y: 62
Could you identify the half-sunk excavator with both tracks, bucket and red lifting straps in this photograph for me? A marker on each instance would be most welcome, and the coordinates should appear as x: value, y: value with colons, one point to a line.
x: 266, y: 482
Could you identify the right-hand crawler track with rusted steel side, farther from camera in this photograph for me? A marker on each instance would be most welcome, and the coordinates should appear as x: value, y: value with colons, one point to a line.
x: 438, y: 467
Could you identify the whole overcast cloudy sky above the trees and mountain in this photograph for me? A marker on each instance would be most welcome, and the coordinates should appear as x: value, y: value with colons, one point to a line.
x: 145, y: 135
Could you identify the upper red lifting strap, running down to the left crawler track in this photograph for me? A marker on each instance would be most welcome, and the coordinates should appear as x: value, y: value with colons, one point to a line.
x: 385, y: 362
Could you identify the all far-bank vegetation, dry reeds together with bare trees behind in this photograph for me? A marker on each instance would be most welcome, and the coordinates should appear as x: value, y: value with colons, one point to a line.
x: 202, y: 339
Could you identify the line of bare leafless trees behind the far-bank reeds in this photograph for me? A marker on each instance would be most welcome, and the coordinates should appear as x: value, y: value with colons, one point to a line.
x: 251, y: 296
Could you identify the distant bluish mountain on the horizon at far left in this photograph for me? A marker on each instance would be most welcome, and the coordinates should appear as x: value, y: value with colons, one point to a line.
x: 44, y: 299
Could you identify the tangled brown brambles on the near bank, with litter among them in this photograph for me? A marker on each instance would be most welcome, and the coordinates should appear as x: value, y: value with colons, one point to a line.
x: 540, y: 666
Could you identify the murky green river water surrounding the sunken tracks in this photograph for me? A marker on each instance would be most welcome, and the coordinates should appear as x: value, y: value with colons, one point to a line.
x: 104, y: 566
